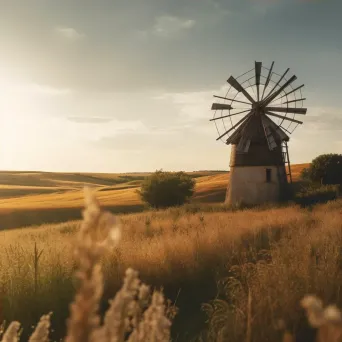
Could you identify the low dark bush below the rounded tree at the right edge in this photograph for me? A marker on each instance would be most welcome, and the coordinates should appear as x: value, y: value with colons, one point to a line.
x: 314, y: 195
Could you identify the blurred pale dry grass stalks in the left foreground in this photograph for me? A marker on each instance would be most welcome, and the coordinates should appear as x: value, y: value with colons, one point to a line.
x: 131, y: 316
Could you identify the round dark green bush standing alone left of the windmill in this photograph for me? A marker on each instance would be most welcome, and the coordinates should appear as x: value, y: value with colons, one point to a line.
x: 166, y: 189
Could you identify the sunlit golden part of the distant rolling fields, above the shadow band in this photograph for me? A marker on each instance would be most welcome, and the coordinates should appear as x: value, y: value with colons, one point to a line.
x: 114, y: 189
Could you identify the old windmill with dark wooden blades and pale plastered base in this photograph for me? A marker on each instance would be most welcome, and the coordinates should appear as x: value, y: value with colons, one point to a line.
x: 256, y: 116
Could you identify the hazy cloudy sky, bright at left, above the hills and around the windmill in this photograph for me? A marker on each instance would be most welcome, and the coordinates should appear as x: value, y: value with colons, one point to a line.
x: 127, y: 85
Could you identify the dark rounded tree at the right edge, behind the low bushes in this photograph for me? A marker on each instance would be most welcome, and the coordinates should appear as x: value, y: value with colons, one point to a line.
x: 325, y: 169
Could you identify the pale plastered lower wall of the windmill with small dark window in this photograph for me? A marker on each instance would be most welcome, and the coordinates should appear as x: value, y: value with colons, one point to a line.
x: 256, y: 184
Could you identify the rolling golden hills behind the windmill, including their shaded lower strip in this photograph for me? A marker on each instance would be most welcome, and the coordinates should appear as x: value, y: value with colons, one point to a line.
x: 38, y: 197
